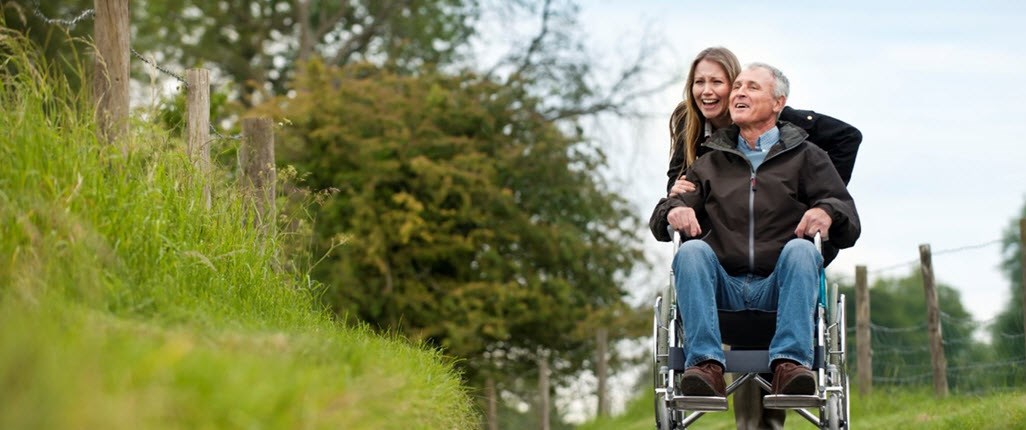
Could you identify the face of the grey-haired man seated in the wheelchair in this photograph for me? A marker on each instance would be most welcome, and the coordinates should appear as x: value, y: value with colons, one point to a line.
x: 753, y: 102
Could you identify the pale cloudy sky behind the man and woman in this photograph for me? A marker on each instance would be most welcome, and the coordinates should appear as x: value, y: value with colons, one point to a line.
x: 936, y: 88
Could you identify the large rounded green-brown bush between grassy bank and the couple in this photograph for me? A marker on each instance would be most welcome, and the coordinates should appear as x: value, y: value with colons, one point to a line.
x: 469, y: 220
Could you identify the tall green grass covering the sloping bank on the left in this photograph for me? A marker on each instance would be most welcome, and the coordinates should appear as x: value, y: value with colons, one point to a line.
x: 126, y: 304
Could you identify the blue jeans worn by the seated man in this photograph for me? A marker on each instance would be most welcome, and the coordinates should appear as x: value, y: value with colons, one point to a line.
x: 793, y: 290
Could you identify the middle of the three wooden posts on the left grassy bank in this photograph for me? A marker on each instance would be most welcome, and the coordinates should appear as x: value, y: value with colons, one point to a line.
x: 199, y: 113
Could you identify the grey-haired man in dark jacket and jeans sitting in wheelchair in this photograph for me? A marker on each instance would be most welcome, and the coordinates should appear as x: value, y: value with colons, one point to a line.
x: 761, y: 194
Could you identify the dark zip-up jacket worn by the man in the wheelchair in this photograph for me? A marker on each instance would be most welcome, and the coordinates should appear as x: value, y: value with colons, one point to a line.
x: 748, y: 217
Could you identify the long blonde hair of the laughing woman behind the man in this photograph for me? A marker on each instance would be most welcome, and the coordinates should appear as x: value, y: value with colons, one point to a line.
x: 687, y: 122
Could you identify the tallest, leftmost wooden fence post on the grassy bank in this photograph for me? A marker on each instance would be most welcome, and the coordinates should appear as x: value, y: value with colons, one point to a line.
x: 110, y: 81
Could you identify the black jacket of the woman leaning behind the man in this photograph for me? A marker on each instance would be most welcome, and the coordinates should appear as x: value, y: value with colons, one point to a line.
x: 840, y: 140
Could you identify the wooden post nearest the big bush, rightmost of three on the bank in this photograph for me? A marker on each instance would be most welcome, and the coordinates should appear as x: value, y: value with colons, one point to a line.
x: 257, y: 157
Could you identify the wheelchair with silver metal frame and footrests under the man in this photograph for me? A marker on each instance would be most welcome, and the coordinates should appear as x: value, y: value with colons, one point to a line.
x: 748, y: 334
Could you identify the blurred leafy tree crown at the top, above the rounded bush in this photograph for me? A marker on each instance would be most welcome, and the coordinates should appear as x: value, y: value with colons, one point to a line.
x: 259, y: 44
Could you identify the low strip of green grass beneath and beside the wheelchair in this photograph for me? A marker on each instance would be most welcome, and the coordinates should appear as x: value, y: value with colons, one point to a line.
x: 885, y: 409
